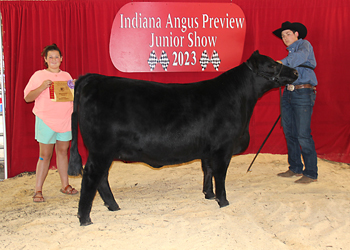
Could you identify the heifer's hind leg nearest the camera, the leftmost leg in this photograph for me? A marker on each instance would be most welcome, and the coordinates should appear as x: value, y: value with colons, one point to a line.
x: 95, y: 169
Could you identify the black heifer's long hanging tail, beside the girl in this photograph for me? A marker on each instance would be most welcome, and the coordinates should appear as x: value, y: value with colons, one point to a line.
x: 75, y: 166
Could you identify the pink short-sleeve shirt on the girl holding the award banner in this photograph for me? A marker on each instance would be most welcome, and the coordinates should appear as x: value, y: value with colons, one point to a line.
x: 56, y: 115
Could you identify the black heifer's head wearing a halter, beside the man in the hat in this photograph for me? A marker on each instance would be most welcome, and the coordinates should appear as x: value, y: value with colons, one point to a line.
x: 270, y: 73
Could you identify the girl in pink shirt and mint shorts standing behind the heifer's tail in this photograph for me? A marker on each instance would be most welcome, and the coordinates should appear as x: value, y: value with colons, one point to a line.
x: 53, y: 121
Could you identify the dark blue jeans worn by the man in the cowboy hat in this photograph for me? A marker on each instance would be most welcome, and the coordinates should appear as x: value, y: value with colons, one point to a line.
x: 297, y: 108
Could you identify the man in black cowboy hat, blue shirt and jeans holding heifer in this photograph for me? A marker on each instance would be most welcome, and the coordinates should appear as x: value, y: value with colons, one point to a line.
x: 297, y: 103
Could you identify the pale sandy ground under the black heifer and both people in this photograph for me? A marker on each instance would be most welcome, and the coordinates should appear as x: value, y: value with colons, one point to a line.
x: 165, y: 209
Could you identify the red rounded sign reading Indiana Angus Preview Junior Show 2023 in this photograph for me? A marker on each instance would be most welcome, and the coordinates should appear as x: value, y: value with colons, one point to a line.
x: 158, y: 37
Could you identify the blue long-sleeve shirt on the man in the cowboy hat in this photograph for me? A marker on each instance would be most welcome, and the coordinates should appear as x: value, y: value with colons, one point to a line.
x: 301, y: 52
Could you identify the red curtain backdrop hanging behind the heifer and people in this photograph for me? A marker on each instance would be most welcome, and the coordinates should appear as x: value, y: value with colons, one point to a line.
x: 81, y: 28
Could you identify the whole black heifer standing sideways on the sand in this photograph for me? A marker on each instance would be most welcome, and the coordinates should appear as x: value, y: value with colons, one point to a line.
x: 163, y: 124
